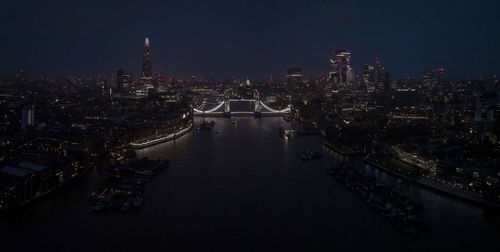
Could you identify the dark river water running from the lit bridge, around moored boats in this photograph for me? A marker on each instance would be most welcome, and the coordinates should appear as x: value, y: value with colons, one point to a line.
x: 243, y: 189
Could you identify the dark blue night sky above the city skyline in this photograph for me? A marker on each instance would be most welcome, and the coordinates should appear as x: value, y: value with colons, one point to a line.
x: 249, y: 38
